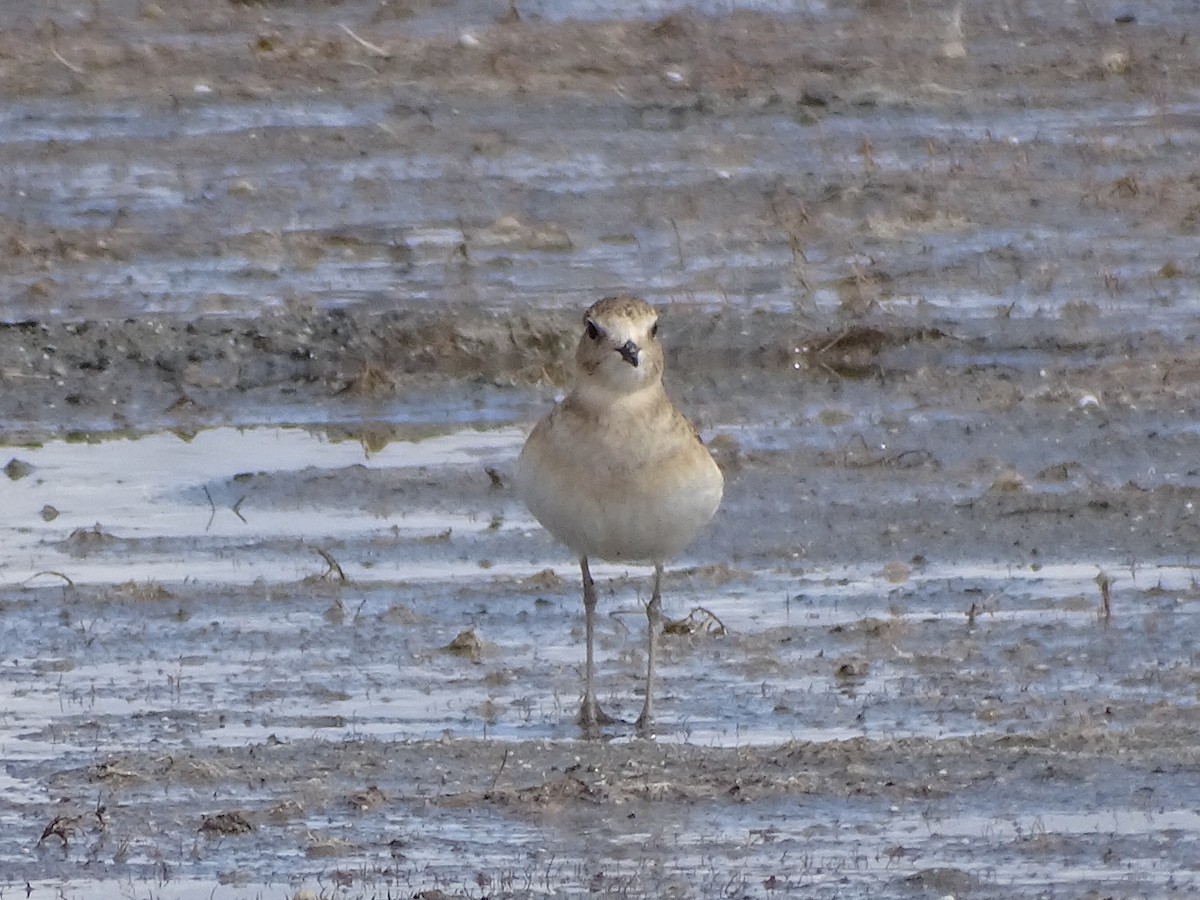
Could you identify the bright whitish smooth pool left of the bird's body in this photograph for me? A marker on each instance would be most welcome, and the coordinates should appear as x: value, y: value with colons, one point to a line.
x: 155, y: 494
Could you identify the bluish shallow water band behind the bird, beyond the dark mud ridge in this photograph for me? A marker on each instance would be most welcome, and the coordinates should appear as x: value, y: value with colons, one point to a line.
x: 349, y: 229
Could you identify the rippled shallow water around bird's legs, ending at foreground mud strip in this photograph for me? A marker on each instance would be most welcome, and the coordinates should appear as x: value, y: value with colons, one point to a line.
x: 182, y: 595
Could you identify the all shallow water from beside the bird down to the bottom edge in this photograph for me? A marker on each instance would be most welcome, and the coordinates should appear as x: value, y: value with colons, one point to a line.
x: 190, y: 633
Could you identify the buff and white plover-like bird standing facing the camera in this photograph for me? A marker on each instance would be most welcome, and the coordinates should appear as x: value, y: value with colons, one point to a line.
x: 616, y: 472
